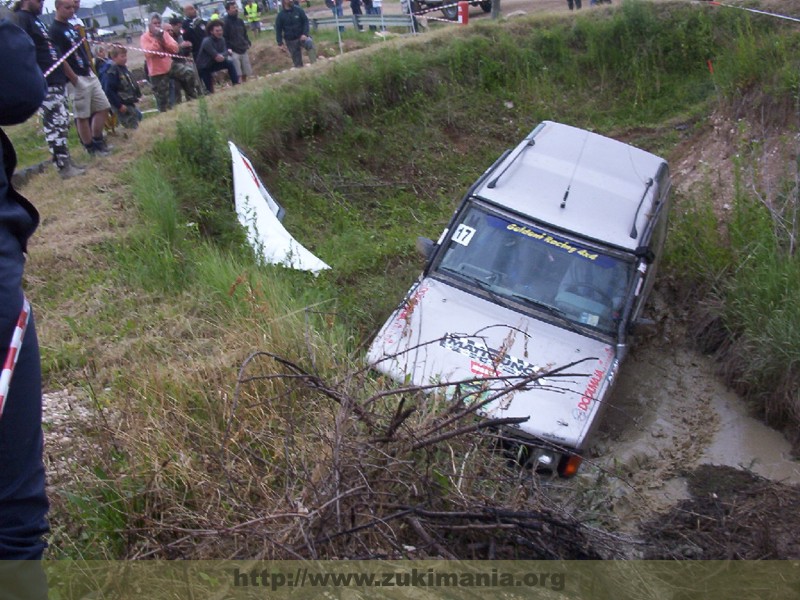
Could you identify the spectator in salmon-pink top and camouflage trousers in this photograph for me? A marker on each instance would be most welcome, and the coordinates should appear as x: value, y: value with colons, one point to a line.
x: 163, y: 68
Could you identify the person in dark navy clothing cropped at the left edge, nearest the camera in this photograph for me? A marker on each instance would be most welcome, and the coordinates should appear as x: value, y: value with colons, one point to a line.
x: 23, y: 501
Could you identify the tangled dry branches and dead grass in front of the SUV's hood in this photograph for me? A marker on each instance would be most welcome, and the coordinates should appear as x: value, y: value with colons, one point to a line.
x: 346, y: 469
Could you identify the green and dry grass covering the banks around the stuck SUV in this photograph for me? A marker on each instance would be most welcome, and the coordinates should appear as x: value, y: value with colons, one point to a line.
x: 364, y: 154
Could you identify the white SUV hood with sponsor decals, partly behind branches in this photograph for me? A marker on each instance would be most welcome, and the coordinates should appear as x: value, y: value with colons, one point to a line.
x: 441, y: 334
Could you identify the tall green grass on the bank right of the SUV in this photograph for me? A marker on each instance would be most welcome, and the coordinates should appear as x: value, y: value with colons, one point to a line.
x: 746, y: 273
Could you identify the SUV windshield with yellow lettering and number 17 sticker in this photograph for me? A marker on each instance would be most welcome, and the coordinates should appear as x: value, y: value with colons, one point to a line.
x: 528, y: 265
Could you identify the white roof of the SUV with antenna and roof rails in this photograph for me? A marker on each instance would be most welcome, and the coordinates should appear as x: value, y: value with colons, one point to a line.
x: 577, y: 181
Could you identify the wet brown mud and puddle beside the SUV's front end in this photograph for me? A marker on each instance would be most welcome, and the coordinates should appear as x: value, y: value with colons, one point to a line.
x: 670, y: 414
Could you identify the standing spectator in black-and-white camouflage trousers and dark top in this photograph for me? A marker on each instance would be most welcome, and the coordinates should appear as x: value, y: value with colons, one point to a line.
x: 55, y: 108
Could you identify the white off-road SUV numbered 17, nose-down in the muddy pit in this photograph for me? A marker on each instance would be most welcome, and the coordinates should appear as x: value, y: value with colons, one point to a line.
x: 530, y: 296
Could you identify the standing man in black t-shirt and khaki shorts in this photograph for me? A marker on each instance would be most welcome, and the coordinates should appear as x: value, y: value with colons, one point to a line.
x: 89, y: 103
